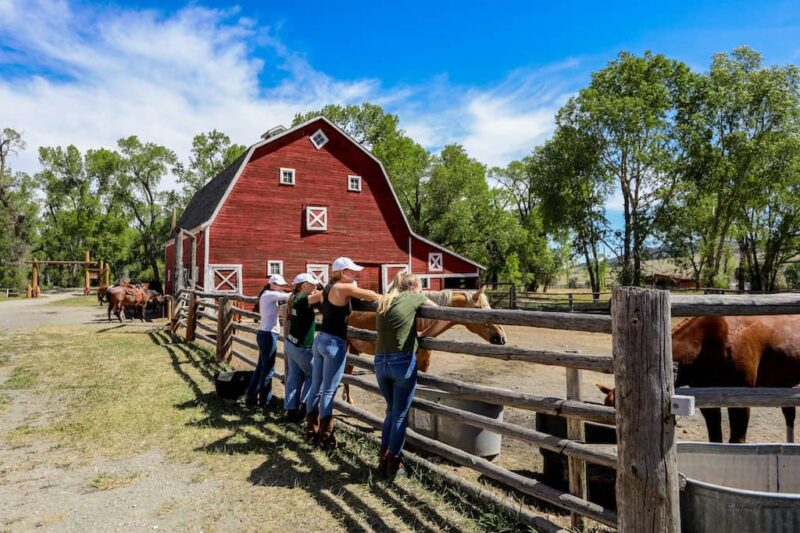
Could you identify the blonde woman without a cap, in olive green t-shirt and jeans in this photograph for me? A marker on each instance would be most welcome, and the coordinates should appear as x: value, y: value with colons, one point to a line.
x: 396, y: 362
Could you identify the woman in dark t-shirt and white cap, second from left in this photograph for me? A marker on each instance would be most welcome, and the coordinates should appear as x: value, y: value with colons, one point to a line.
x: 299, y: 327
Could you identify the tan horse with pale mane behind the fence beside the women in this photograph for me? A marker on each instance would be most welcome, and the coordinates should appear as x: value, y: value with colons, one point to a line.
x: 447, y: 298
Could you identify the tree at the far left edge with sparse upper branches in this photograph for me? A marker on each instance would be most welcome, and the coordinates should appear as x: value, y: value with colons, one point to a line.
x: 18, y: 213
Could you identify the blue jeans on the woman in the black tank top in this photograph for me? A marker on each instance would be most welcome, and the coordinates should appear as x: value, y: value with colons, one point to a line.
x: 330, y: 355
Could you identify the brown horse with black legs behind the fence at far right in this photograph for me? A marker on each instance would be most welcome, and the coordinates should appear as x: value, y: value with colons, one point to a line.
x: 740, y: 351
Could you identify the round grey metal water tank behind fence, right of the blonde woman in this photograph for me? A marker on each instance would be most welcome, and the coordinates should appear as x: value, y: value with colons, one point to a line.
x: 470, y: 439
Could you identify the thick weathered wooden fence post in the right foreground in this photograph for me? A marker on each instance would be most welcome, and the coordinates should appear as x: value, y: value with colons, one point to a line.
x: 647, y: 473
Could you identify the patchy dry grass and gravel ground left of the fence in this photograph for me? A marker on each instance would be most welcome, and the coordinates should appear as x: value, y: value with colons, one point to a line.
x: 109, y: 426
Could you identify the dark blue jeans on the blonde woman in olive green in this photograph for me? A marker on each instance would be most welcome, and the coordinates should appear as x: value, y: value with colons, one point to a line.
x: 397, y: 377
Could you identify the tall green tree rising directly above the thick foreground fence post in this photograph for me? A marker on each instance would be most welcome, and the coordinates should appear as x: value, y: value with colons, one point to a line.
x: 628, y: 109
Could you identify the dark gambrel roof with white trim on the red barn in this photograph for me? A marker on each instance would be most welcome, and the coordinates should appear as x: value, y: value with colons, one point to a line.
x: 207, y: 201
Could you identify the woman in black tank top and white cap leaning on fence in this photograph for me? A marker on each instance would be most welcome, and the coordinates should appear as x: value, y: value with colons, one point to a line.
x: 330, y: 347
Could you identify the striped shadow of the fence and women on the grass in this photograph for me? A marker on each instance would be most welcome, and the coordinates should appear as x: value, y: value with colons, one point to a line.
x: 333, y: 480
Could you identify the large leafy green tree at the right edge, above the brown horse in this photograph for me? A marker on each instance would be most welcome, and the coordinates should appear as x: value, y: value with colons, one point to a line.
x: 729, y: 123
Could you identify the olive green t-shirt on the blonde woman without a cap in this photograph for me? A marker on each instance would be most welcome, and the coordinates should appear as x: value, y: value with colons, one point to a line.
x: 397, y: 331
